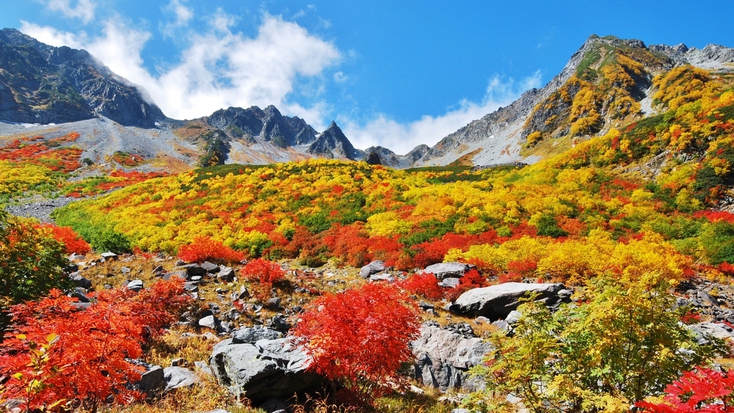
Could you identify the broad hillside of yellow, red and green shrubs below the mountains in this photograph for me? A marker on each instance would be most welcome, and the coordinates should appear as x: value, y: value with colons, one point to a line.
x: 651, y: 188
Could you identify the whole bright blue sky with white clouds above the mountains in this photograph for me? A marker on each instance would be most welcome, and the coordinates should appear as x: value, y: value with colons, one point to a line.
x: 391, y: 73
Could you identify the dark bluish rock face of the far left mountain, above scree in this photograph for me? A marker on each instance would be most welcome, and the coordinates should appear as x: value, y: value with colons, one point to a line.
x: 45, y: 84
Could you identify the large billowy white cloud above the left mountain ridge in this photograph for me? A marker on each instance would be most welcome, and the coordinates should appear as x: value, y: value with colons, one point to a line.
x: 219, y: 69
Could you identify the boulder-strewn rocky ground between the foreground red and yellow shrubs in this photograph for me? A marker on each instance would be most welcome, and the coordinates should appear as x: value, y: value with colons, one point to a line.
x: 248, y: 351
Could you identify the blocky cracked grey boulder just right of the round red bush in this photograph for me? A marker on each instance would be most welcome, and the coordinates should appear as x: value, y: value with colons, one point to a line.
x: 444, y: 357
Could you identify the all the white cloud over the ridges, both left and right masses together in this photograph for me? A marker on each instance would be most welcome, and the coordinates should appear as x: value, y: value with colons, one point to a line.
x: 221, y: 69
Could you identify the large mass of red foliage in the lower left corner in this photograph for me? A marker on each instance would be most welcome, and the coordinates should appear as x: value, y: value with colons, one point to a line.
x: 85, y: 357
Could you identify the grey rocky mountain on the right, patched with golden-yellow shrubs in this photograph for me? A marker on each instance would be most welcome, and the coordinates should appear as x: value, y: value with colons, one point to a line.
x: 606, y: 83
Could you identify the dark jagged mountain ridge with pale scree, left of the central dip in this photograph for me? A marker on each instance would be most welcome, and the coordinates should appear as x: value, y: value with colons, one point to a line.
x: 53, y: 91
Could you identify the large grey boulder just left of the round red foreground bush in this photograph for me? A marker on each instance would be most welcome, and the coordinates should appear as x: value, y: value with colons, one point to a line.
x: 262, y: 369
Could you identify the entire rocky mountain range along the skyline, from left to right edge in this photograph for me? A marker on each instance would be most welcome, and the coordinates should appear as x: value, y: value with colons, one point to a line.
x: 607, y: 83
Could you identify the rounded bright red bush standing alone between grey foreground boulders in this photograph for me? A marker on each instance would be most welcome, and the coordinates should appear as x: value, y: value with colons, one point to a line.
x: 360, y: 337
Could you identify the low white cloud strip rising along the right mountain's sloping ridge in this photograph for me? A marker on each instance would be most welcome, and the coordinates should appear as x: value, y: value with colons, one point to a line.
x: 401, y: 138
